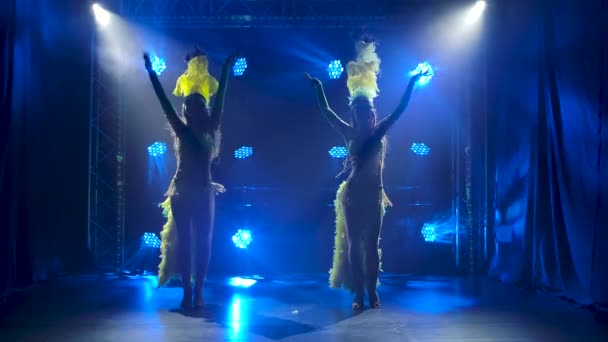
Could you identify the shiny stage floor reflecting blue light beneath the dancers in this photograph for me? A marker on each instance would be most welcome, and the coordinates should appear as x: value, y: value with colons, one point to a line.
x: 297, y: 308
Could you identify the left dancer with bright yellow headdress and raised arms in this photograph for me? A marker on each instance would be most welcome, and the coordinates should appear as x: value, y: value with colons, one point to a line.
x: 190, y: 204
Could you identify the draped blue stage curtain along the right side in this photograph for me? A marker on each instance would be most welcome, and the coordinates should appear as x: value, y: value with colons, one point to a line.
x: 551, y: 192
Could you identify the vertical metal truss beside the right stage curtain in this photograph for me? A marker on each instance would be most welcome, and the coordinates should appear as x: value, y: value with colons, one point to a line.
x: 471, y: 208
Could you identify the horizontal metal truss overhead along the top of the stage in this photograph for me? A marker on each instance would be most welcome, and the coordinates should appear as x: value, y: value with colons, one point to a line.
x: 265, y: 12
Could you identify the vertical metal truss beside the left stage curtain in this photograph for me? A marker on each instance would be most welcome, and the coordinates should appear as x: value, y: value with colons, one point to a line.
x: 106, y: 223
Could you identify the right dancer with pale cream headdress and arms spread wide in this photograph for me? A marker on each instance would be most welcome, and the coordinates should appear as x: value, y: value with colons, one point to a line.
x: 361, y: 202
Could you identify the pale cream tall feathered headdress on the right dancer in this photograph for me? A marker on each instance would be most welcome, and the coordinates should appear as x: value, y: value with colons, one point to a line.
x: 363, y: 72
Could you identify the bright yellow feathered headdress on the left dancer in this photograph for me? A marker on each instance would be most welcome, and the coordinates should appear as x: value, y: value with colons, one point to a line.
x: 196, y: 78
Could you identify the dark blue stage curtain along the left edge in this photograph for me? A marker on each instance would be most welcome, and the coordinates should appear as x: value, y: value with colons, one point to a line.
x: 43, y: 140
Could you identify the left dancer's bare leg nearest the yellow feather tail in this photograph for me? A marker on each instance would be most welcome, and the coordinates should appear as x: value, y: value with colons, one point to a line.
x: 182, y: 214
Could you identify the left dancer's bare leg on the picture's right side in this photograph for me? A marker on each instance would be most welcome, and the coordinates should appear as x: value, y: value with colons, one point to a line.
x: 203, y: 225
